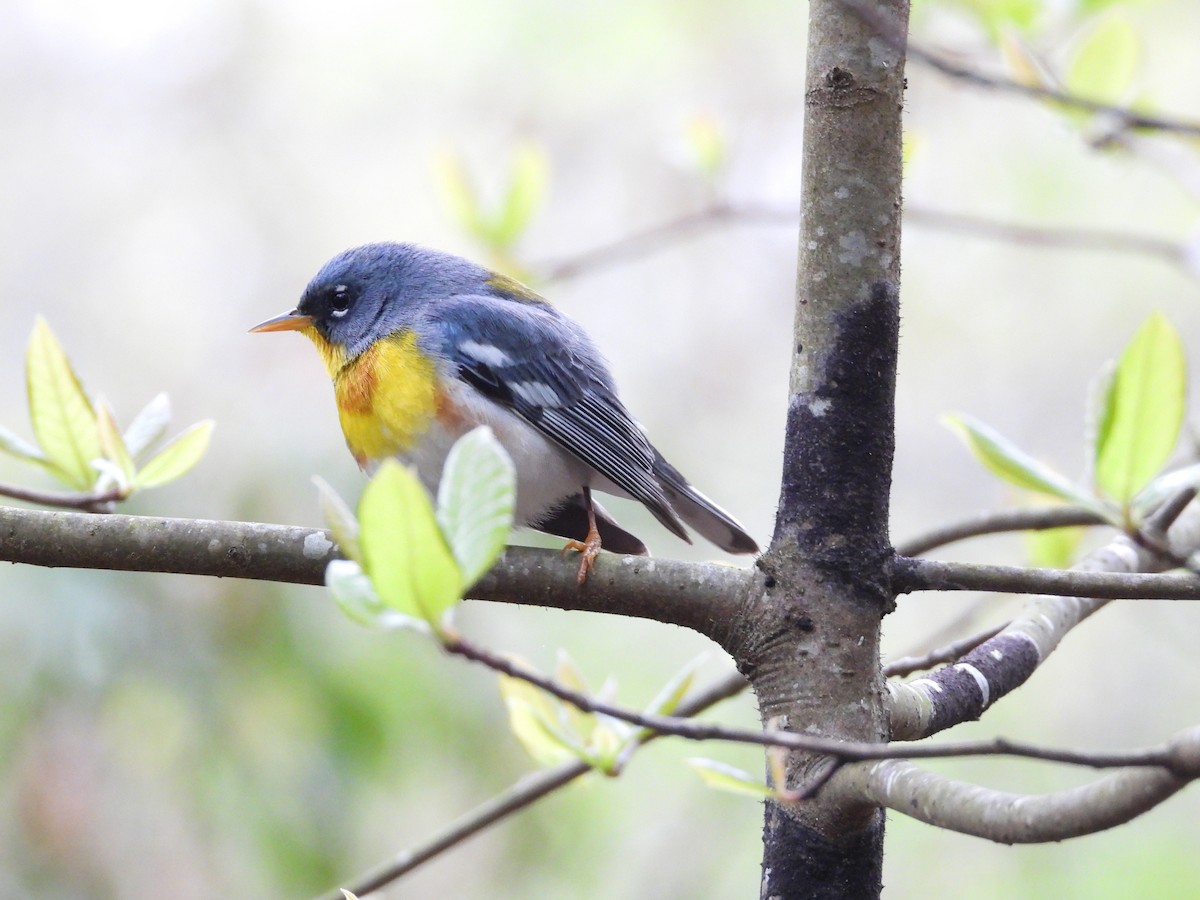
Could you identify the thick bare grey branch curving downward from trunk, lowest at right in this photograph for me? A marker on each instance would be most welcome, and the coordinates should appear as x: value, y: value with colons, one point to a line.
x: 1023, y: 819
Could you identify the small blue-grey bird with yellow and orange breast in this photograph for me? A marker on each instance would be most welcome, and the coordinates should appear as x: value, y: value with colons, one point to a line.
x: 424, y: 346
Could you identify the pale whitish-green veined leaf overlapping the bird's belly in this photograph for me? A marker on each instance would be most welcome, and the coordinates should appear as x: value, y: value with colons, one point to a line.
x: 476, y: 501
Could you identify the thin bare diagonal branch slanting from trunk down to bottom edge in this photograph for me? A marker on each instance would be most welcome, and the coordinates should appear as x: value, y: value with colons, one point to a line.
x: 523, y: 795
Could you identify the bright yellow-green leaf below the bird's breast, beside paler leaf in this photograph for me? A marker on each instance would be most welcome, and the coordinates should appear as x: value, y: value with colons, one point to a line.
x: 403, y: 548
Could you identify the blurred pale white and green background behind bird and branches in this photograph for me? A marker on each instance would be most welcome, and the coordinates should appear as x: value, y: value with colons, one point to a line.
x: 173, y: 173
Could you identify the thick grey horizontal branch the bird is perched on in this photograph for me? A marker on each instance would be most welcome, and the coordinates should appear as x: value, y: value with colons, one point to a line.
x: 699, y: 596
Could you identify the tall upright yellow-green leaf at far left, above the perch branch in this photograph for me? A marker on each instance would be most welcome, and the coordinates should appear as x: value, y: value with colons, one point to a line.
x: 63, y: 417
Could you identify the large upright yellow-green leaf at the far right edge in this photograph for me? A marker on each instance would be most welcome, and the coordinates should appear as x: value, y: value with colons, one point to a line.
x: 1145, y: 405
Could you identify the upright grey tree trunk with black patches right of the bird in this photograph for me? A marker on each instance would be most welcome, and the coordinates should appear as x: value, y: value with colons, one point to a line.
x: 811, y: 640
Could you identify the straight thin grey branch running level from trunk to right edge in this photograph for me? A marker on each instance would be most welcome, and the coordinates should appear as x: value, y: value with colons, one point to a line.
x: 911, y: 575
